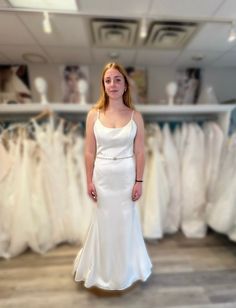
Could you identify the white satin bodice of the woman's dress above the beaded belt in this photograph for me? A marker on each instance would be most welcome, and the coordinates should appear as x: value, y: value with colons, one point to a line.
x: 115, y: 142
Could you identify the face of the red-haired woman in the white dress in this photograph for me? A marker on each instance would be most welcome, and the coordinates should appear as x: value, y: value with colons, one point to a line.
x: 114, y: 83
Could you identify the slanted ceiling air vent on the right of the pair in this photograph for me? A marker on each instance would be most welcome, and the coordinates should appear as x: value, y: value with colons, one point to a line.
x: 170, y: 35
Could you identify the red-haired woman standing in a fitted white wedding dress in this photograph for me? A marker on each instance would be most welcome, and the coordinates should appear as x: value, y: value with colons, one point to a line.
x: 114, y: 254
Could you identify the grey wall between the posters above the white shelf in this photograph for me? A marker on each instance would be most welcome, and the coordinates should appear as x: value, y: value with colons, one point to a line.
x: 222, y: 80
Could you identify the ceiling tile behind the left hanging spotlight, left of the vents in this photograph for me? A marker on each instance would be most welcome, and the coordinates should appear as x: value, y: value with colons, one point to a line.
x: 68, y: 30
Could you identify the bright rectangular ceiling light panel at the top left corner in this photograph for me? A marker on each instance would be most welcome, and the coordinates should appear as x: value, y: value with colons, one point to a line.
x: 68, y: 5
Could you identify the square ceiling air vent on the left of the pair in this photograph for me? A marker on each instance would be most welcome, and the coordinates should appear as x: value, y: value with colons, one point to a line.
x: 114, y: 32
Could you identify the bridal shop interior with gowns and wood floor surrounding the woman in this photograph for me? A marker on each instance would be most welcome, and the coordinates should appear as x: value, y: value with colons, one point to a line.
x: 181, y: 55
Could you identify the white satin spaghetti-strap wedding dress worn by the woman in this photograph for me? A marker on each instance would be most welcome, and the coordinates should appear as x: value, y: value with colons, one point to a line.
x: 114, y: 254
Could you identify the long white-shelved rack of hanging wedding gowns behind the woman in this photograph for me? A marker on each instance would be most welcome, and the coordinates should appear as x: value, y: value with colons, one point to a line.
x: 163, y: 207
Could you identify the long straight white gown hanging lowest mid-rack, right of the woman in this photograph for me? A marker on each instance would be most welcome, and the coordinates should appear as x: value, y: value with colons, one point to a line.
x: 193, y: 184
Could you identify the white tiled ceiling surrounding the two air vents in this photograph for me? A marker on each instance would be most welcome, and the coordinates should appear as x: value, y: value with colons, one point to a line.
x: 73, y: 38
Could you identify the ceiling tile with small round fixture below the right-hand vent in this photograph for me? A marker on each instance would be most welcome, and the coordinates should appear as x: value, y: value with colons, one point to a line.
x: 185, y: 59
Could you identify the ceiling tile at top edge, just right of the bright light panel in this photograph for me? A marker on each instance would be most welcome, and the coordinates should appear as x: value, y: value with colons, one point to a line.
x: 114, y: 7
